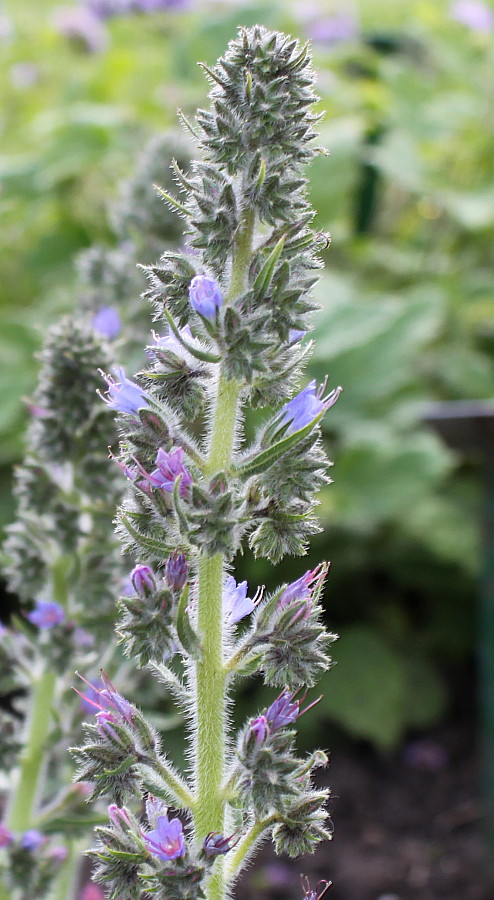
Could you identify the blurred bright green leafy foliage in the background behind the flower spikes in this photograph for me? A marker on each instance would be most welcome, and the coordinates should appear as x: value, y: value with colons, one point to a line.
x: 407, y: 299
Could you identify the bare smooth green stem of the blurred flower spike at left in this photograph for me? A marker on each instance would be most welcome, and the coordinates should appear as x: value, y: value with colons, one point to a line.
x: 25, y: 794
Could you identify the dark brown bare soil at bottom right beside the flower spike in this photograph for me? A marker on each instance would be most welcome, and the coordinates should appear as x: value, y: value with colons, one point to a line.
x: 405, y: 828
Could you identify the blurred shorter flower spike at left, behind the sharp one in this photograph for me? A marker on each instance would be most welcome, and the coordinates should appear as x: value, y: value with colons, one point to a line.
x: 64, y: 564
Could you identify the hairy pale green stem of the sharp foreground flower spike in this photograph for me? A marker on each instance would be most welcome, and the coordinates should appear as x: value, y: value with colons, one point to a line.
x: 210, y: 676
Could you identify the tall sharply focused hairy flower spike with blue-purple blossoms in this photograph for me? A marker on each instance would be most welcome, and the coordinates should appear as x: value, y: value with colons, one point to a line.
x: 233, y: 314
